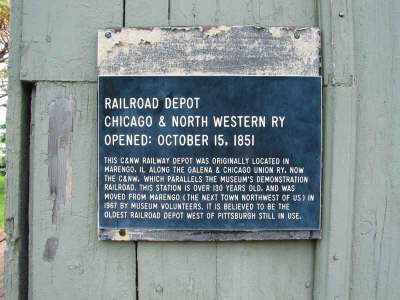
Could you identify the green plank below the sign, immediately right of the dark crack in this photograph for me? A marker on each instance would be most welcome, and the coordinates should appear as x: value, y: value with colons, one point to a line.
x: 177, y: 270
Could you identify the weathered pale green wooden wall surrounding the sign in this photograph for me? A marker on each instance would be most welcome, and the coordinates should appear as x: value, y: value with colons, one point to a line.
x: 53, y: 251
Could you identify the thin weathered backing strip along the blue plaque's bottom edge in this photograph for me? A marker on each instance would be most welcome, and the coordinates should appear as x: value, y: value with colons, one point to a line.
x: 199, y: 236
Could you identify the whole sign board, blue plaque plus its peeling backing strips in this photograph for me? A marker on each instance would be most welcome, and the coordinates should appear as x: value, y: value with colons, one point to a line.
x: 209, y: 133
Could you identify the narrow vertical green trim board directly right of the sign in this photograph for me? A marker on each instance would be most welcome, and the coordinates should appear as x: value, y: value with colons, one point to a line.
x: 333, y: 252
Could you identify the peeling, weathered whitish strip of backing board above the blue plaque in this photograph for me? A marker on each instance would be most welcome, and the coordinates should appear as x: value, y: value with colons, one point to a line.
x: 220, y: 50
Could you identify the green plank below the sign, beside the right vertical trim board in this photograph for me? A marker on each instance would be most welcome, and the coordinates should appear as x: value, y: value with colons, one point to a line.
x: 265, y: 270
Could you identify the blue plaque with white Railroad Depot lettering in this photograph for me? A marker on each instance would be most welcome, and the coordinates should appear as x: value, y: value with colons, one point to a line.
x: 229, y: 153
